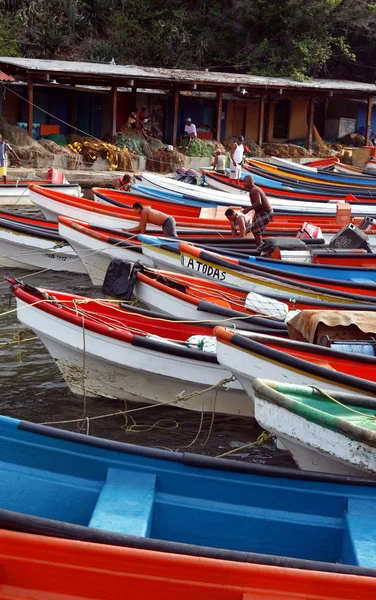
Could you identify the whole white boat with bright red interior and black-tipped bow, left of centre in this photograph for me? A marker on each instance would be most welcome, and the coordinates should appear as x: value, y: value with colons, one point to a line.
x: 109, y: 351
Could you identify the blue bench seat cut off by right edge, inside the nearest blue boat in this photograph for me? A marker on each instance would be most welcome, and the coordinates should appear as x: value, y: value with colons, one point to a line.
x: 359, y: 533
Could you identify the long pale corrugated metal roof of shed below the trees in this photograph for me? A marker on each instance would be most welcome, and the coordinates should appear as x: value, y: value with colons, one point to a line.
x: 186, y: 76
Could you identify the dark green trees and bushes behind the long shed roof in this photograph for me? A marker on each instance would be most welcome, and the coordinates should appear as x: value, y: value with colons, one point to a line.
x: 296, y: 38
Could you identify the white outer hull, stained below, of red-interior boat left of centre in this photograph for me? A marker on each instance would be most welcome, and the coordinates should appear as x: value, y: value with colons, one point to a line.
x: 97, y: 366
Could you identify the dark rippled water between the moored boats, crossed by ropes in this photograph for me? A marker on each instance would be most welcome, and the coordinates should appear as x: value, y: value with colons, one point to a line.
x: 33, y: 389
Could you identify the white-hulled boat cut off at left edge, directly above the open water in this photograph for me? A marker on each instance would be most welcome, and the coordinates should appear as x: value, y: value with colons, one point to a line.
x: 28, y: 246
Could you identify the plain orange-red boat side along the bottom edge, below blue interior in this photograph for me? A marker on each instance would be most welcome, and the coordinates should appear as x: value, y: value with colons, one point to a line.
x: 40, y: 566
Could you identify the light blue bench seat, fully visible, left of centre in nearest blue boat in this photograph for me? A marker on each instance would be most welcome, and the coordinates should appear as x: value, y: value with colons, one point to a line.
x: 125, y: 503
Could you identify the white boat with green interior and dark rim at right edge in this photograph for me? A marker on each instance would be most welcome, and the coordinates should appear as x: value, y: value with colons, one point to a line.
x: 329, y: 433
